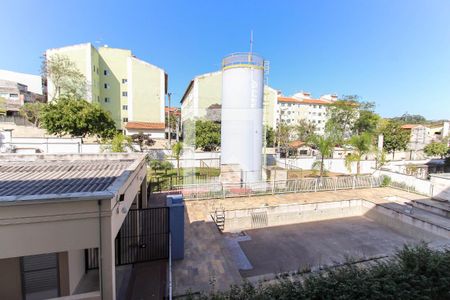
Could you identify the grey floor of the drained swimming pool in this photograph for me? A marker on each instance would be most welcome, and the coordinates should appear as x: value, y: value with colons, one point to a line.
x: 300, y: 246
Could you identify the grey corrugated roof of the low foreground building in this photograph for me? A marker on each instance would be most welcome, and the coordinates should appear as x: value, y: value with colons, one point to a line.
x: 29, y: 178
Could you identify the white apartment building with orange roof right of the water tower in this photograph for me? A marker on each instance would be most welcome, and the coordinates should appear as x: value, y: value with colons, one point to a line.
x: 301, y: 106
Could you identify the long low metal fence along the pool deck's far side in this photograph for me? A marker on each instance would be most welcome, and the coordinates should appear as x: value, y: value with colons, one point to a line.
x: 231, y: 190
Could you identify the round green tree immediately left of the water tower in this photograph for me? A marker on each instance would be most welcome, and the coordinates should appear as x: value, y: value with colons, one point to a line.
x: 207, y: 135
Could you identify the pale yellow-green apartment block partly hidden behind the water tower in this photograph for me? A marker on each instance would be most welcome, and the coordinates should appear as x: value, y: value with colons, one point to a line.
x: 203, y: 98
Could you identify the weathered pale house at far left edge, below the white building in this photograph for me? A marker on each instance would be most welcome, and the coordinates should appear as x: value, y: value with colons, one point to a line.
x: 14, y: 95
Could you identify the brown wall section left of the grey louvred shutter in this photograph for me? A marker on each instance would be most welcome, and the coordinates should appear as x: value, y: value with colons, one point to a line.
x: 10, y: 279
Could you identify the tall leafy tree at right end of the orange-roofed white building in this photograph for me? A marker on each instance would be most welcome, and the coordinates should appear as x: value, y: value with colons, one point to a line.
x: 342, y: 115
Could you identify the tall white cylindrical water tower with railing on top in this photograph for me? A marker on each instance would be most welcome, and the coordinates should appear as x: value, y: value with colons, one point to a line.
x: 242, y: 114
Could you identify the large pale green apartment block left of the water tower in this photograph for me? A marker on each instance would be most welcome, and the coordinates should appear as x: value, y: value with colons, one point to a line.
x: 132, y: 90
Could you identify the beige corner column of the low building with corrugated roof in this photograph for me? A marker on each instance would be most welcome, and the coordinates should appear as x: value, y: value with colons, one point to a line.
x: 107, y: 259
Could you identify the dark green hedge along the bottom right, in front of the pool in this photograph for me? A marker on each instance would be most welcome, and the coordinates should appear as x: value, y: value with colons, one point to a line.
x: 413, y: 273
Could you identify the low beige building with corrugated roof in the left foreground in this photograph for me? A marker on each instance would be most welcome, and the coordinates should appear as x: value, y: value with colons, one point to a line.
x: 55, y: 209
